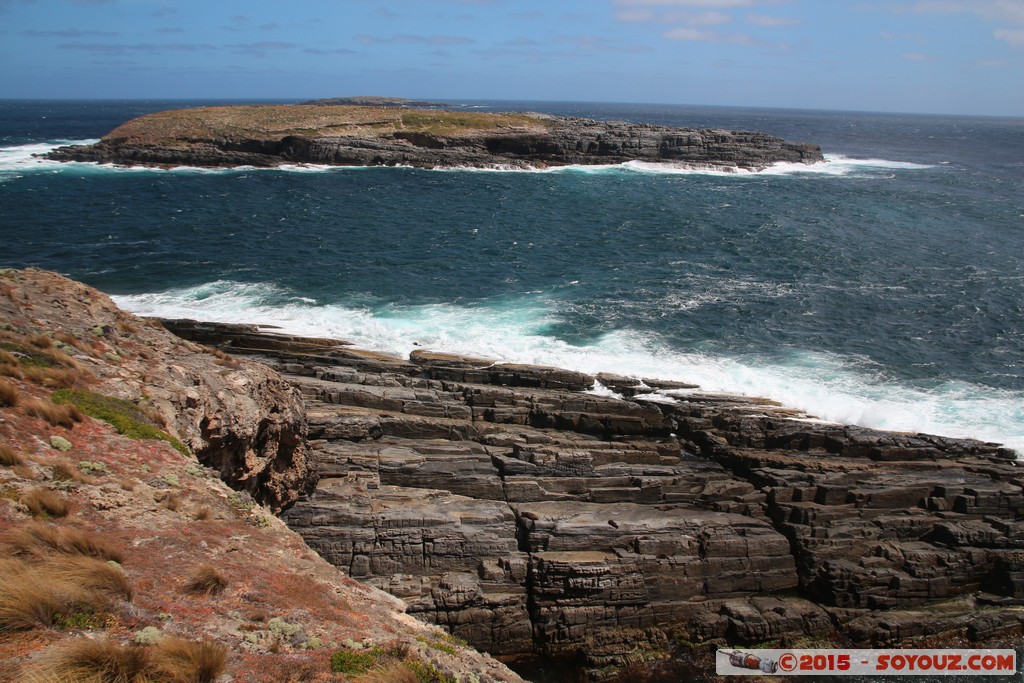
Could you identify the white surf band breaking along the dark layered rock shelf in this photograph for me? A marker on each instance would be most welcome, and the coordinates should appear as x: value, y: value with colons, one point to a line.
x: 827, y: 387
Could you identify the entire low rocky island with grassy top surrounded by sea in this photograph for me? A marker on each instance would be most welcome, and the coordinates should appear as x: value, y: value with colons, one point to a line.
x: 350, y: 136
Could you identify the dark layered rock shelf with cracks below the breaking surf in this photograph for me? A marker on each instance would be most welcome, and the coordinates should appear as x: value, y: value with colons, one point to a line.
x: 533, y: 520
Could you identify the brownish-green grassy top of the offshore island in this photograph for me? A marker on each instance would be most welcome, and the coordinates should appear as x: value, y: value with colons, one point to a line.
x: 274, y: 122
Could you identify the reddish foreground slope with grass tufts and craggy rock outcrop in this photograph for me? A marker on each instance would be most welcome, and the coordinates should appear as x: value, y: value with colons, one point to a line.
x: 125, y: 553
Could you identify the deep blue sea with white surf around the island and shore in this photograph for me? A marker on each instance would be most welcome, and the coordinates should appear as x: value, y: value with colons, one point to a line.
x: 884, y: 287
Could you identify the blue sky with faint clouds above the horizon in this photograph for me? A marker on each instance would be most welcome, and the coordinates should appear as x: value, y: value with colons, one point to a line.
x: 942, y: 57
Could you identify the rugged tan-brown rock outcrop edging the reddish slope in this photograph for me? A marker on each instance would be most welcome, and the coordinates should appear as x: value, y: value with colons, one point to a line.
x: 238, y: 417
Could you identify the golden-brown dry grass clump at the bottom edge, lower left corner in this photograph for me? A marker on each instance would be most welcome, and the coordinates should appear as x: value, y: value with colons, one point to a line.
x: 172, y: 661
